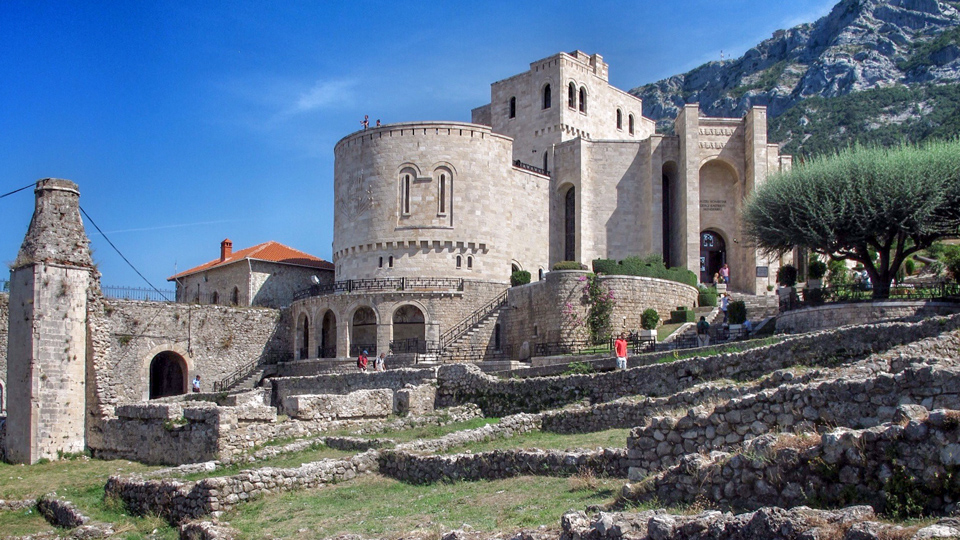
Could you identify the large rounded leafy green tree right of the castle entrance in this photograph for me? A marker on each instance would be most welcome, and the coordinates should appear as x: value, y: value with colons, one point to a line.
x: 861, y: 202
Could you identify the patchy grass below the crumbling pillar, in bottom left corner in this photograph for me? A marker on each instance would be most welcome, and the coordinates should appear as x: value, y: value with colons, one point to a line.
x: 80, y: 481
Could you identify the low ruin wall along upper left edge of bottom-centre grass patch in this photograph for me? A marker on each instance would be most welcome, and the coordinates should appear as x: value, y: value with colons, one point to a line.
x: 177, y: 501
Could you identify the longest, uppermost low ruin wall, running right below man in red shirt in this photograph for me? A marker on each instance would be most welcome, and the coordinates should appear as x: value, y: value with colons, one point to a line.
x: 463, y: 383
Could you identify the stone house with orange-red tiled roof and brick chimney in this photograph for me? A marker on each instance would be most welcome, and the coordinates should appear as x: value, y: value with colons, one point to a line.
x: 266, y: 274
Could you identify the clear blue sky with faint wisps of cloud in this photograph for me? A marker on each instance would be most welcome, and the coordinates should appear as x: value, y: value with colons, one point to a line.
x: 185, y: 123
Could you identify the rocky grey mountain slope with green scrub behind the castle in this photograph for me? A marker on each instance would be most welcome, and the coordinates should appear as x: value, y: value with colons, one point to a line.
x: 868, y: 71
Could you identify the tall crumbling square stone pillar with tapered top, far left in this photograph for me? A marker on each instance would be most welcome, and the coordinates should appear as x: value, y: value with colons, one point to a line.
x: 46, y: 352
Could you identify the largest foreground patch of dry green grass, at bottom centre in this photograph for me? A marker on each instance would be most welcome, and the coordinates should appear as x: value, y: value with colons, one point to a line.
x: 374, y: 506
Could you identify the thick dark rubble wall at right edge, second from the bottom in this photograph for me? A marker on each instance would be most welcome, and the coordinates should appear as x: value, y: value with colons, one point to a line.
x: 914, y: 462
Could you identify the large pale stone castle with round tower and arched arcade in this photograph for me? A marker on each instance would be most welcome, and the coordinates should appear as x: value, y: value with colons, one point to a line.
x: 431, y: 218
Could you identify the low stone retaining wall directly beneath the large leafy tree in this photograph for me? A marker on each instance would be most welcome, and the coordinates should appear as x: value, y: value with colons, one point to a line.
x: 842, y: 314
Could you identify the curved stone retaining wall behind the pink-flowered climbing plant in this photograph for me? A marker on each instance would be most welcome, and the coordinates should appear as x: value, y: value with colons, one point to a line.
x: 549, y: 311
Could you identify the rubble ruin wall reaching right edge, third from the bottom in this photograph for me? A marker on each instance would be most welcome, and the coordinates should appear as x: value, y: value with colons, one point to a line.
x: 801, y: 408
